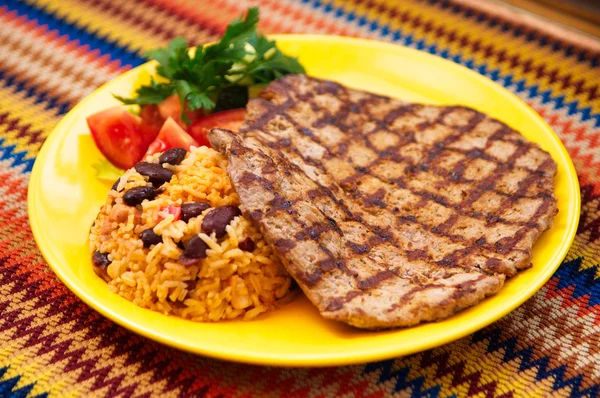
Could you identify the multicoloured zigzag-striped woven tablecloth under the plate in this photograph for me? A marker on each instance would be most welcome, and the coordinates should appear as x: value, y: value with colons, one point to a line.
x: 54, y: 52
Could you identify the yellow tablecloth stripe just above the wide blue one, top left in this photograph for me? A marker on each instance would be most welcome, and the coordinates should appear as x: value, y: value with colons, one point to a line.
x: 103, y: 24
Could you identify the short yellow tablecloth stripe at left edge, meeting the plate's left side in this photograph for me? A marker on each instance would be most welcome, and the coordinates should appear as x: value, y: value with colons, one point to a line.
x: 18, y: 105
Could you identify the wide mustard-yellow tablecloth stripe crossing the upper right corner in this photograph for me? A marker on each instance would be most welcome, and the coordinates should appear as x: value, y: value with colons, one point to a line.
x: 488, y: 37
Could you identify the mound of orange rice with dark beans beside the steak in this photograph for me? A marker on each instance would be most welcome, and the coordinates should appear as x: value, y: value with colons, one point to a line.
x: 172, y: 238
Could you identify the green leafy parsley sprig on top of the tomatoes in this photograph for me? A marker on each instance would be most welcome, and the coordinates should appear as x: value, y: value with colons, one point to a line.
x: 242, y: 57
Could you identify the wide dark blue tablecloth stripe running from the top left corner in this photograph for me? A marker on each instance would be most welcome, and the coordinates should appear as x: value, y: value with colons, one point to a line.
x: 92, y: 39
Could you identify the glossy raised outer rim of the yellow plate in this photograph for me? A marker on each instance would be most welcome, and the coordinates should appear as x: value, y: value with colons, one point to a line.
x: 333, y: 360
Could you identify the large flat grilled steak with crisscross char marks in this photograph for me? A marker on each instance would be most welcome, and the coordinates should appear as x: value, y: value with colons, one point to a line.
x: 388, y: 213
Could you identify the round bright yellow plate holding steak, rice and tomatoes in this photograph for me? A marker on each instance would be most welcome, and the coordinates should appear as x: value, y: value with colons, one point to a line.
x: 65, y: 196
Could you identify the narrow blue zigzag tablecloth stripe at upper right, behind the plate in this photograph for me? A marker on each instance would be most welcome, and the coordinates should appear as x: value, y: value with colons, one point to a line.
x: 508, y: 81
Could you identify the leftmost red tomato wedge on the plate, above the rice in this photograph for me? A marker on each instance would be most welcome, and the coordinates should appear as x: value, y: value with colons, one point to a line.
x: 118, y: 136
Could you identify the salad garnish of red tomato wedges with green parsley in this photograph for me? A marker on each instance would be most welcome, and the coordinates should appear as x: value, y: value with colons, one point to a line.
x: 192, y: 91
